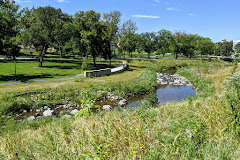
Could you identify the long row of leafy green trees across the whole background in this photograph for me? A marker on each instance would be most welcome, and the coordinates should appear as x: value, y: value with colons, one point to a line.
x: 91, y: 34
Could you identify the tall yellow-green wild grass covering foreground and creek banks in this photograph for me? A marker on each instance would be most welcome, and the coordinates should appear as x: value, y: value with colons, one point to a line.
x: 197, y: 128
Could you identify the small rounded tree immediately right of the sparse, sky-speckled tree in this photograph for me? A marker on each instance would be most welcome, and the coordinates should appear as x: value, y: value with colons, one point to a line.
x: 149, y: 42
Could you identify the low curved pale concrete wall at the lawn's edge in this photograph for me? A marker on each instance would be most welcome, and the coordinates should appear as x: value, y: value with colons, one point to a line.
x: 106, y: 71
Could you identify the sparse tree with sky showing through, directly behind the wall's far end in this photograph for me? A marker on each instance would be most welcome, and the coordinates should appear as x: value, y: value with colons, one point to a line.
x: 127, y: 36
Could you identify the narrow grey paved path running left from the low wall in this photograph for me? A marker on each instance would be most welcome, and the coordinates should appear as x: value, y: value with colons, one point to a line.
x: 44, y: 80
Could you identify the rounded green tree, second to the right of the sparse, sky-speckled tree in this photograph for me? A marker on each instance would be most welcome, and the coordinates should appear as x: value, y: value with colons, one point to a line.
x: 163, y: 43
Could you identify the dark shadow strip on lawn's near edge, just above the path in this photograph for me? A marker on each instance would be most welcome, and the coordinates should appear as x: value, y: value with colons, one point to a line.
x: 23, y: 77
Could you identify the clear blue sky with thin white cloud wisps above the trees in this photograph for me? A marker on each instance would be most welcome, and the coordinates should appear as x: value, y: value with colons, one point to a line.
x: 216, y: 19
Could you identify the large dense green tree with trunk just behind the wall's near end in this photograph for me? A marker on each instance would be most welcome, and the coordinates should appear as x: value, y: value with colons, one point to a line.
x: 90, y: 33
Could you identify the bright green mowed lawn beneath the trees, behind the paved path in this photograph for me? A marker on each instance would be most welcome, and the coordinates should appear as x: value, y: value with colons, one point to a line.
x: 52, y: 68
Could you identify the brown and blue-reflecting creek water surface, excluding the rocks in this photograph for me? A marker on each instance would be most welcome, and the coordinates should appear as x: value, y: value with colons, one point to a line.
x: 163, y: 94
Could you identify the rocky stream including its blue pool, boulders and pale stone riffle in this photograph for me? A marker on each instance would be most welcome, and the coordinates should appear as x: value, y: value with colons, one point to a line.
x: 173, y: 88
